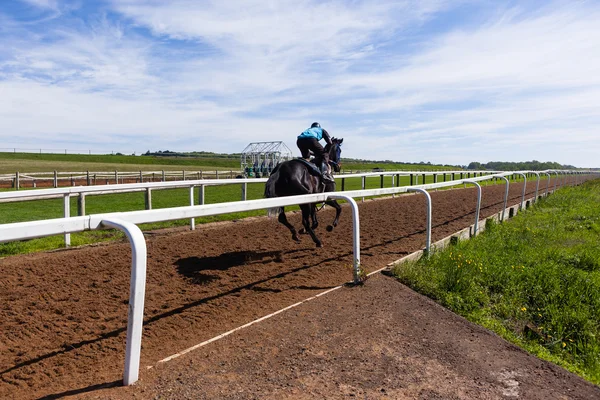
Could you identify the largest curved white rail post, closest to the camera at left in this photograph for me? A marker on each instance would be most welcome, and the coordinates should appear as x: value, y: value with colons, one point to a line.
x: 137, y: 290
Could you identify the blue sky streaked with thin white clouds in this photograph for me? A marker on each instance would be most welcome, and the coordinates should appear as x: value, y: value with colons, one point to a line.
x: 440, y: 81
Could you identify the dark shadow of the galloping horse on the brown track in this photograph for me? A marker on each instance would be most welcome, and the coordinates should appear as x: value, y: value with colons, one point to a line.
x: 194, y: 268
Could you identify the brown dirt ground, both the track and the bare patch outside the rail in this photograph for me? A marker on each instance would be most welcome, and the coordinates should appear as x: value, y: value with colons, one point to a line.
x: 63, y: 316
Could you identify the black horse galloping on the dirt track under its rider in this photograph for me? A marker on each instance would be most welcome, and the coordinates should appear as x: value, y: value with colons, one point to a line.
x: 296, y: 177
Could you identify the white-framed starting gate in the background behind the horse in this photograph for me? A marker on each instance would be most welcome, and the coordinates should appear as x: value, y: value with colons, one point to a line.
x: 259, y: 158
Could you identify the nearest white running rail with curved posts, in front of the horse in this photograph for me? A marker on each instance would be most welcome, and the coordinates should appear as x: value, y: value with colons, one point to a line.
x: 128, y: 221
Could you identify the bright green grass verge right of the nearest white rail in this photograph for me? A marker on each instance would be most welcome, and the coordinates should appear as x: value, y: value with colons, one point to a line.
x: 534, y: 280
